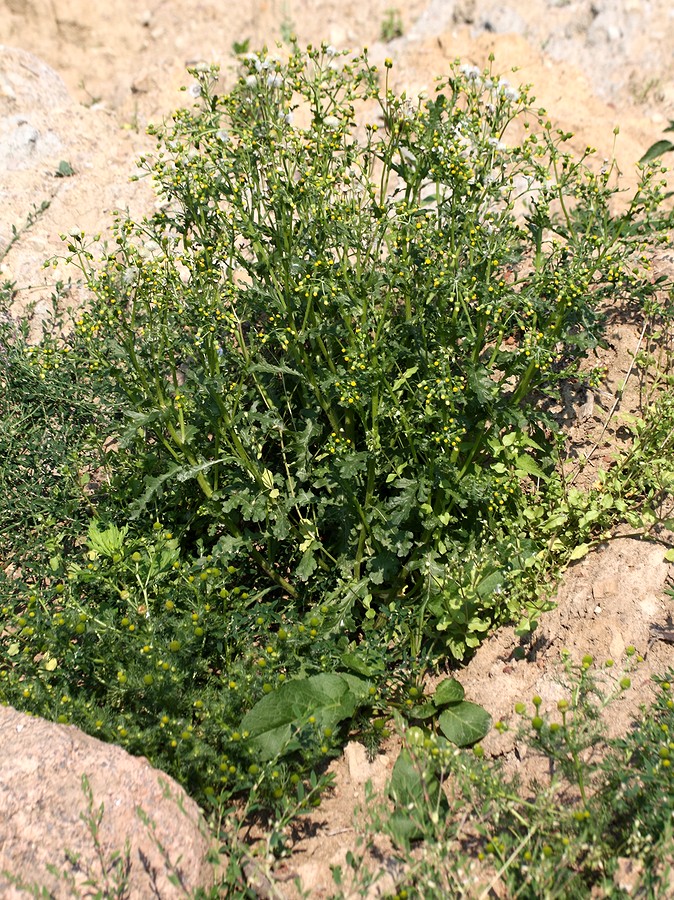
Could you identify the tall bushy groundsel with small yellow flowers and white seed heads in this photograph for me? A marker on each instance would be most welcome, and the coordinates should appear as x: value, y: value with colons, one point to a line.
x: 334, y: 335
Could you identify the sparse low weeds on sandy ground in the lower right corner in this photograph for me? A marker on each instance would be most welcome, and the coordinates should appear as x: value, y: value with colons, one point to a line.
x: 477, y: 829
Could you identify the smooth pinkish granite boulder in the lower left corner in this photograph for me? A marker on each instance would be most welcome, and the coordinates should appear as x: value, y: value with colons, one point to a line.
x: 46, y: 819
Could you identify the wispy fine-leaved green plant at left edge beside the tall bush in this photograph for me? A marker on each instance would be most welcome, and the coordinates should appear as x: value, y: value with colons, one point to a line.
x: 52, y: 429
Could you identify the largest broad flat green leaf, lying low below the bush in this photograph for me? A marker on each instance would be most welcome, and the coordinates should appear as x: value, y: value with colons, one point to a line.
x: 275, y: 721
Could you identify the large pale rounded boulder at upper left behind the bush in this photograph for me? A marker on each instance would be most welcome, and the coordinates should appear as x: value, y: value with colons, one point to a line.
x: 43, y: 134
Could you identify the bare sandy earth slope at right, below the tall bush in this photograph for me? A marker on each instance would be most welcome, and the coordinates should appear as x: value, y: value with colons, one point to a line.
x: 629, y: 577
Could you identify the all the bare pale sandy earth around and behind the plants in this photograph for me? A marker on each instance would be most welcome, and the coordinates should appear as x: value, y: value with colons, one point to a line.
x: 116, y: 67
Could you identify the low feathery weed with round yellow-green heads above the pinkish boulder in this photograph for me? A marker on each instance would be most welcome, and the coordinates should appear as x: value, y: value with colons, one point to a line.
x: 167, y: 657
